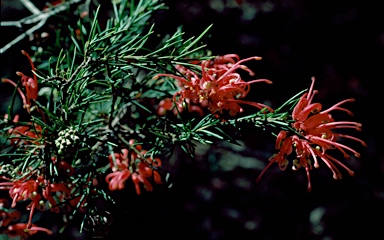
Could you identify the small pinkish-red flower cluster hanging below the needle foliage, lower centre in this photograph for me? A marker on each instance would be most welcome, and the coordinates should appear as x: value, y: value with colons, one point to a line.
x: 132, y: 163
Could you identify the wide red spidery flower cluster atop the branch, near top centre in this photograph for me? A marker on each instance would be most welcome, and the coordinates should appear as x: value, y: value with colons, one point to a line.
x: 219, y: 85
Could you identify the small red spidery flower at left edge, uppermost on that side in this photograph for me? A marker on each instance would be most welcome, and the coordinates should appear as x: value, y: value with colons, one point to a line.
x: 29, y: 83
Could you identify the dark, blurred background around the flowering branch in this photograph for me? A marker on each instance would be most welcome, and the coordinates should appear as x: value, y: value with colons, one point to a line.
x: 341, y: 43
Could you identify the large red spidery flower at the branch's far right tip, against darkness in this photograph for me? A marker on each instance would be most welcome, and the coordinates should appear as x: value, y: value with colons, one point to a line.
x: 314, y: 136
